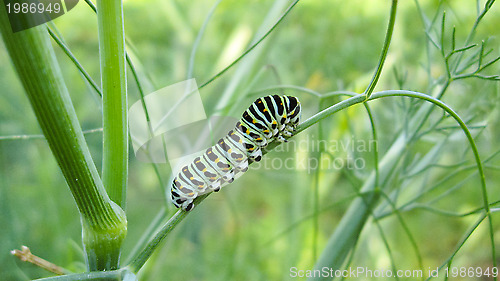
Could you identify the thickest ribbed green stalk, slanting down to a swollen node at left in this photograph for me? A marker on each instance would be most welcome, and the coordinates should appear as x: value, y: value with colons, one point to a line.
x: 103, y: 222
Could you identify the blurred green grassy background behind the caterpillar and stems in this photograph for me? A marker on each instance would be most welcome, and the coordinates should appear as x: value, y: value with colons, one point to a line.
x: 263, y: 224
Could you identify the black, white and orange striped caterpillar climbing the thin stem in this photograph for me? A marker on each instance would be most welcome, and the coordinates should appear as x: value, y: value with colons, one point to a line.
x: 268, y: 119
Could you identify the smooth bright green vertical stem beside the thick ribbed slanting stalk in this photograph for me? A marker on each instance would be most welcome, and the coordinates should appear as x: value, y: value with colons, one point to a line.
x: 114, y: 93
